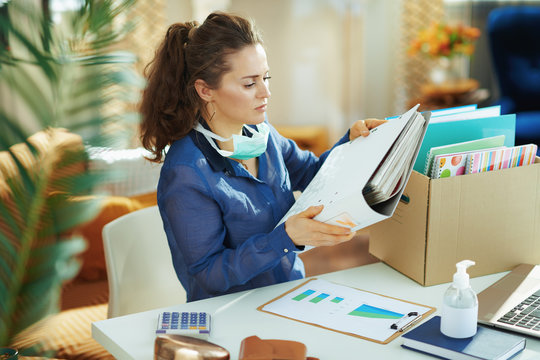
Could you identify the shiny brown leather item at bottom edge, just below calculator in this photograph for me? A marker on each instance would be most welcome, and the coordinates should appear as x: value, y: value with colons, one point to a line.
x: 178, y: 347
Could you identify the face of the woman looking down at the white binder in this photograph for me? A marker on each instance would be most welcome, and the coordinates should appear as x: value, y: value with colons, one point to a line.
x: 243, y: 93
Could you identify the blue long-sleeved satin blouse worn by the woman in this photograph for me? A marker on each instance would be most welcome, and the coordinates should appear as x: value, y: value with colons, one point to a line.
x: 220, y: 220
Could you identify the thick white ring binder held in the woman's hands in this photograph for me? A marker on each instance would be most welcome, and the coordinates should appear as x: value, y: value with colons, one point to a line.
x: 361, y: 181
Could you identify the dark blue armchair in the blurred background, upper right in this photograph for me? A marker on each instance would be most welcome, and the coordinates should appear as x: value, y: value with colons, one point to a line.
x: 514, y: 33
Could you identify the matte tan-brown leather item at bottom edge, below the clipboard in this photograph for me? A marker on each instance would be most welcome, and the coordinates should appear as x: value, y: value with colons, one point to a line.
x: 254, y: 348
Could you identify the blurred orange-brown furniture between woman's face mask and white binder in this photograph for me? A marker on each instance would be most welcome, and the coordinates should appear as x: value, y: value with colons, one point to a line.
x: 313, y: 138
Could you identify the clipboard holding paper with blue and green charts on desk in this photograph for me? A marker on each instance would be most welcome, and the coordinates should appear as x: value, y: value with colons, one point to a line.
x: 347, y: 310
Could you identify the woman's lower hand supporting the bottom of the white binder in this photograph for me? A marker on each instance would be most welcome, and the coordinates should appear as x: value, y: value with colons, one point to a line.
x: 303, y: 230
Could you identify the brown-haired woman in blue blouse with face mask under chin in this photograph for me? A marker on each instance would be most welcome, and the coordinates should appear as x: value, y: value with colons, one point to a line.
x: 228, y: 177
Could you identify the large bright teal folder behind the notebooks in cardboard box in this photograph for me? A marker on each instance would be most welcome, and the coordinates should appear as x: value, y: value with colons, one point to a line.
x: 451, y: 132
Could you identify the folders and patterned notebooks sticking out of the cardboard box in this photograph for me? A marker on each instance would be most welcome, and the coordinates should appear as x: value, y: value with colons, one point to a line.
x: 480, y: 153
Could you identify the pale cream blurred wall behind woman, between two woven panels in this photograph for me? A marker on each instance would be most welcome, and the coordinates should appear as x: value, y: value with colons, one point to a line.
x: 331, y: 61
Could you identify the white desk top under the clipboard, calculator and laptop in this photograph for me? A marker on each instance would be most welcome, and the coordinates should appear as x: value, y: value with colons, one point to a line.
x: 235, y: 317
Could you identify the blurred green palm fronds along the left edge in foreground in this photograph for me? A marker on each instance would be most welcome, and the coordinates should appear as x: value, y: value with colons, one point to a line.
x: 60, y: 75
